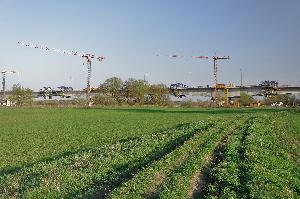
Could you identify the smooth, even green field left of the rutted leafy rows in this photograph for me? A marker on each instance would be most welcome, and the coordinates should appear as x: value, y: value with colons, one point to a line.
x: 33, y: 135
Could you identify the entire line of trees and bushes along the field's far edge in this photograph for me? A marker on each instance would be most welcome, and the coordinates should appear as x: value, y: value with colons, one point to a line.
x: 114, y: 91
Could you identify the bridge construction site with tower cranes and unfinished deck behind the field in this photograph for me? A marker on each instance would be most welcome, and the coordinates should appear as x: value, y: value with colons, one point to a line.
x: 219, y: 94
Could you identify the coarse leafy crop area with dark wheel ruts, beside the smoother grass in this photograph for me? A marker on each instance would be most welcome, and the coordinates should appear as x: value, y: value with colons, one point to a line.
x: 243, y: 157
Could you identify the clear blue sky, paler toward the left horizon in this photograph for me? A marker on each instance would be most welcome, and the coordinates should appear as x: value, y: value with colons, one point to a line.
x: 260, y: 36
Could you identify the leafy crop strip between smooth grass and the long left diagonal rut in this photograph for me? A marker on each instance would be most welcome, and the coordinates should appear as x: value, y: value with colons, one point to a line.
x: 95, y: 172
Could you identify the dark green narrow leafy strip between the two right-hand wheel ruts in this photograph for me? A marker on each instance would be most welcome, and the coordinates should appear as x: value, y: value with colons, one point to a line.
x: 223, y: 175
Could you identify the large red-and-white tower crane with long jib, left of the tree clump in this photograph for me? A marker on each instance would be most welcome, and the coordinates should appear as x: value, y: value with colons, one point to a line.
x: 88, y: 57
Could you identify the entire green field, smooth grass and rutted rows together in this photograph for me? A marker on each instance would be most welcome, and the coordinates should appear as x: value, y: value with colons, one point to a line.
x: 149, y: 153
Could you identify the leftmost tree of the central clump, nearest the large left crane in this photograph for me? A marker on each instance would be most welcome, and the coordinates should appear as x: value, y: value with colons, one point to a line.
x: 112, y: 87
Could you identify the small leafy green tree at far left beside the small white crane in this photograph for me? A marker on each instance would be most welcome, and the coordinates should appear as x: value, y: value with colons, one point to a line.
x: 20, y: 95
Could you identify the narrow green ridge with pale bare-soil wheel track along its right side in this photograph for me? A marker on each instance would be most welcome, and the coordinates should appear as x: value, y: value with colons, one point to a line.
x: 190, y: 178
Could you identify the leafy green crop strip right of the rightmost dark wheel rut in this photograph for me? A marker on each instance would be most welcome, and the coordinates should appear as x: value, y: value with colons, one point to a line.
x: 272, y: 173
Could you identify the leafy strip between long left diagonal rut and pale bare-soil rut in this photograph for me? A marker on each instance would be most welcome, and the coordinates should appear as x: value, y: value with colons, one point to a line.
x: 171, y: 176
